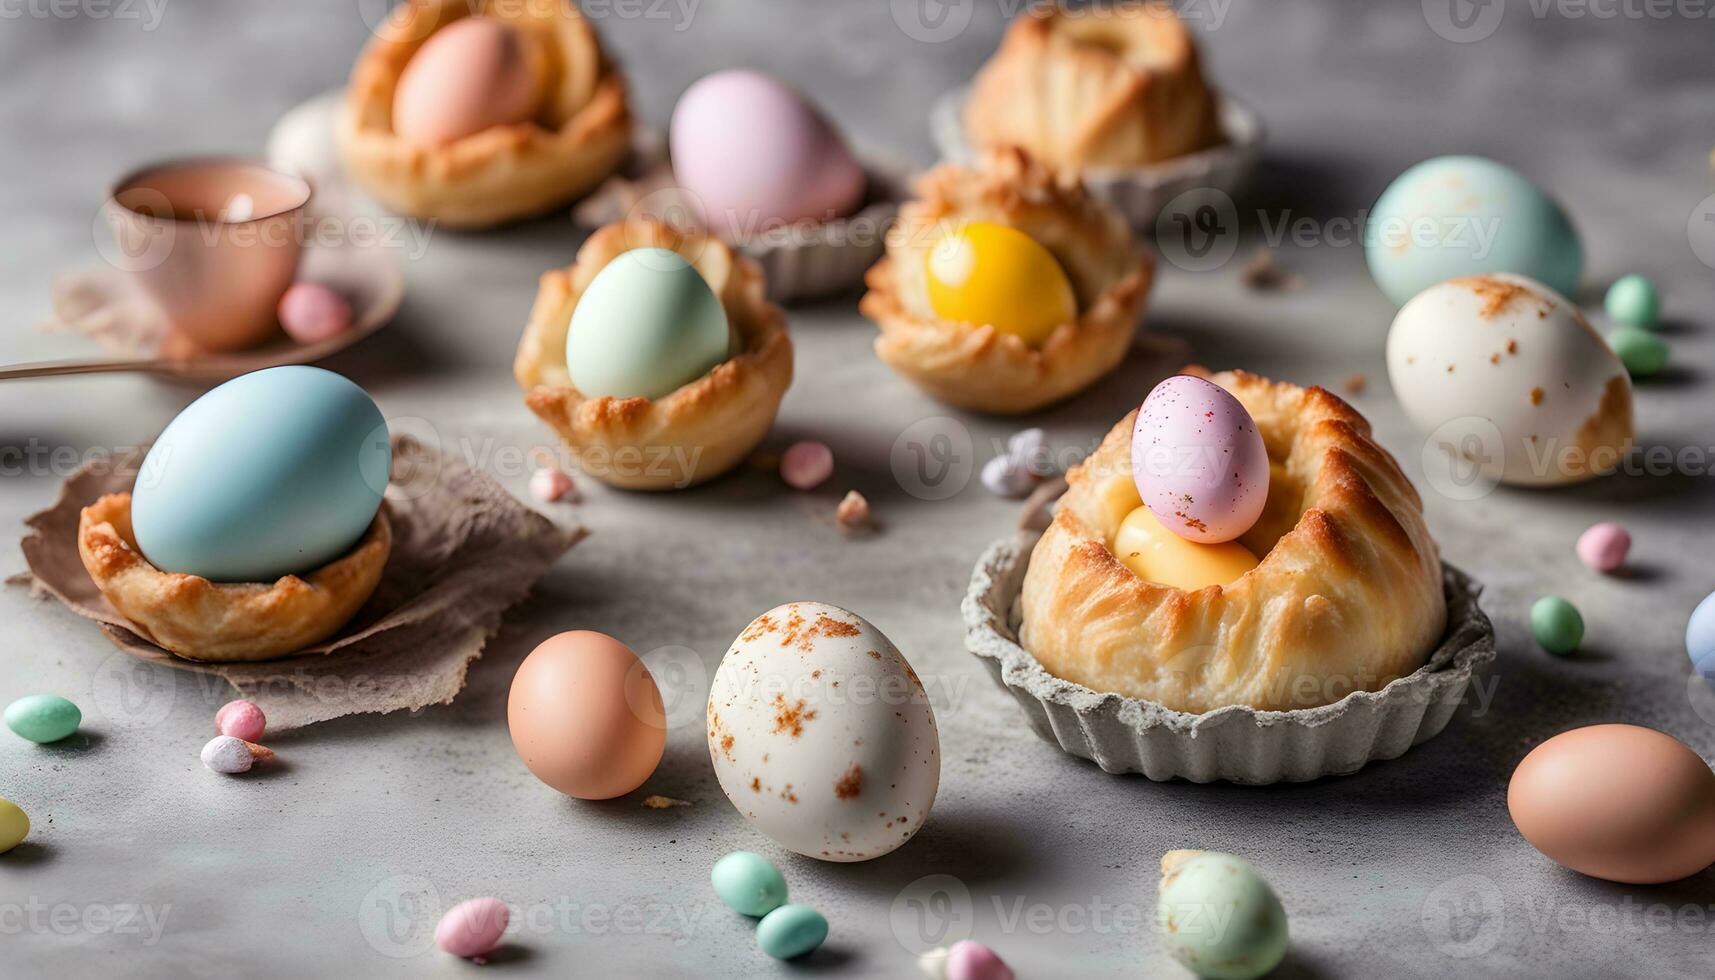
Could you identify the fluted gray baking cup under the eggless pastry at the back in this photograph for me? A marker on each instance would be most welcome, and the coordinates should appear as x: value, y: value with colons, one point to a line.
x: 1140, y: 193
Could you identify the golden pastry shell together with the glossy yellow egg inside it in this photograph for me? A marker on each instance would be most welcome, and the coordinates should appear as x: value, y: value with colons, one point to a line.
x: 1008, y: 287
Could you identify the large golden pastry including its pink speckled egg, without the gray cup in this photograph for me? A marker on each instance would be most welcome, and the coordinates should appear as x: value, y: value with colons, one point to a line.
x: 1236, y: 541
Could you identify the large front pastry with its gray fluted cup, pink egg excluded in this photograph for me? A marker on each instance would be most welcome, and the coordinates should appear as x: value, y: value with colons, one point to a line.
x: 1337, y: 639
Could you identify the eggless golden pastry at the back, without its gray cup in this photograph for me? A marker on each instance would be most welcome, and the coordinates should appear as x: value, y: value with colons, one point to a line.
x: 1095, y: 88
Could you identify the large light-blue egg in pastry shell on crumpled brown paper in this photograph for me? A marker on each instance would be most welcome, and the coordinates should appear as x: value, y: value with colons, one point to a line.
x: 270, y: 475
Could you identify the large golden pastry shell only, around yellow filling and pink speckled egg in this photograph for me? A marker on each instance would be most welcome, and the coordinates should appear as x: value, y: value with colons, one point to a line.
x: 1349, y: 595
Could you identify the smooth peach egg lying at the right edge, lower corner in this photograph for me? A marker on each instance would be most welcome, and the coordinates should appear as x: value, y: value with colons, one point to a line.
x: 1618, y: 802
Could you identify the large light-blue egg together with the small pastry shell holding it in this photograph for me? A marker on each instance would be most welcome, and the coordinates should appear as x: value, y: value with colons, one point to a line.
x: 256, y: 526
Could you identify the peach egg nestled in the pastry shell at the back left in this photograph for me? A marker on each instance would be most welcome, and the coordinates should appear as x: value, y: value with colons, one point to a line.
x: 469, y: 76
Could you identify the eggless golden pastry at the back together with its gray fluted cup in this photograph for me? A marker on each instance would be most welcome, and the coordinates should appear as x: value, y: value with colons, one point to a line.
x: 1112, y: 94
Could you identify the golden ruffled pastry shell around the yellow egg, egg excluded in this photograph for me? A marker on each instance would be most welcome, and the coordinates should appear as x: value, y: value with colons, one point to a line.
x: 977, y: 366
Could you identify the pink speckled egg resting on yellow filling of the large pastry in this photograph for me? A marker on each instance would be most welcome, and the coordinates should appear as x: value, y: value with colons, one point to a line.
x: 1200, y: 461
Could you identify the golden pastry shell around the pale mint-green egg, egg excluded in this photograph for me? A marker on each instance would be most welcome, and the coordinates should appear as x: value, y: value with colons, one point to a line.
x: 692, y: 435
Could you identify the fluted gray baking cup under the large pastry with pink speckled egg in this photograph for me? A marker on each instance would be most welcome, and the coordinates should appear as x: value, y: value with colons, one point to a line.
x: 1232, y: 744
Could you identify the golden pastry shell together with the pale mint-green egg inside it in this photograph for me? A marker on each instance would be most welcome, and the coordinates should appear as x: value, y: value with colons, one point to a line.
x: 656, y: 356
